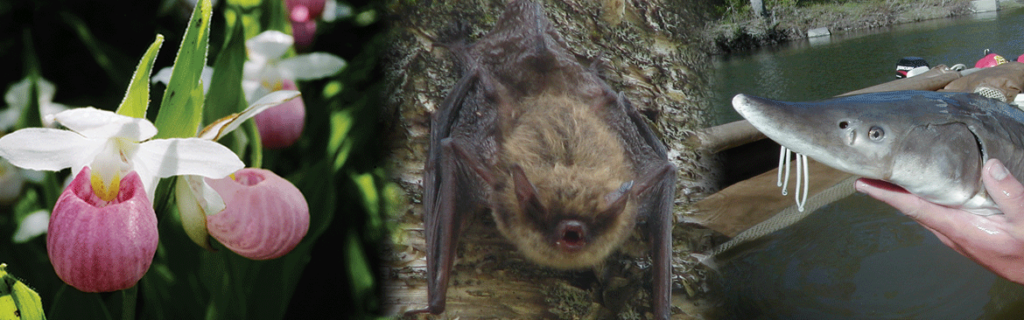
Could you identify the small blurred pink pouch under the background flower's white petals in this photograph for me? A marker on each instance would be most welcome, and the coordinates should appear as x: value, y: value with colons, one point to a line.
x: 281, y: 127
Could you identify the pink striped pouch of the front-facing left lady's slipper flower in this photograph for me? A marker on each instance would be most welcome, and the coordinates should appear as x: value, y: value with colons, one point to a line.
x: 98, y: 246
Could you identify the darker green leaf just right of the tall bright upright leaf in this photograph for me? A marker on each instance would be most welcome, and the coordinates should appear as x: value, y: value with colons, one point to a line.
x: 226, y: 95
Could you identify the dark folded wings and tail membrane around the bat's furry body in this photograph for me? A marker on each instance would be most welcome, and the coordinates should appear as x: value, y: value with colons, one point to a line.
x: 522, y: 57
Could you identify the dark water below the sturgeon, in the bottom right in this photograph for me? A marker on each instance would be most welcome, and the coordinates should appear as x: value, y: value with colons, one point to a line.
x: 860, y: 259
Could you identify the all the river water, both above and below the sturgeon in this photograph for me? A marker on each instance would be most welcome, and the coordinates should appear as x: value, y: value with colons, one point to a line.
x: 858, y: 258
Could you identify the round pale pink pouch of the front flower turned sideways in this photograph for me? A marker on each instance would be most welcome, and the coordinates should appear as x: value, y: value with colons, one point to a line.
x: 265, y: 218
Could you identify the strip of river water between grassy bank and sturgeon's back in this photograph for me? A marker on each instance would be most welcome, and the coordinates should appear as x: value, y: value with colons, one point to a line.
x: 803, y: 71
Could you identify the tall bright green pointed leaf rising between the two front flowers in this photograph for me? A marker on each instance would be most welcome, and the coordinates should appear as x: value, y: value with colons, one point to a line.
x: 181, y: 113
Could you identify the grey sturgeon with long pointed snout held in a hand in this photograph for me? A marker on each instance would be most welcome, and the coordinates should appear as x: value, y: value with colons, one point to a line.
x: 931, y: 144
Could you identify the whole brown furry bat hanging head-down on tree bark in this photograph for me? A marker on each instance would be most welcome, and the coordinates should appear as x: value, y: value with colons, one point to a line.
x: 567, y: 167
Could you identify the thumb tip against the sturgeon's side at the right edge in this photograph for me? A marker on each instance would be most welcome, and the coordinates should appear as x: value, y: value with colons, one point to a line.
x: 1006, y: 191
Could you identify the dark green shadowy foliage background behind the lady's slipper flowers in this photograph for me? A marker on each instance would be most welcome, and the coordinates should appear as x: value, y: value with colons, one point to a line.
x: 90, y: 51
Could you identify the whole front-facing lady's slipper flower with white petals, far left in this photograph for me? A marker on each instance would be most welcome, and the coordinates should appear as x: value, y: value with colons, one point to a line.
x: 106, y: 215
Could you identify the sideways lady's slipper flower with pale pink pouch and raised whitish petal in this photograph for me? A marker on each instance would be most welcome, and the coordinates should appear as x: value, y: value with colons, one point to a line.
x: 255, y: 213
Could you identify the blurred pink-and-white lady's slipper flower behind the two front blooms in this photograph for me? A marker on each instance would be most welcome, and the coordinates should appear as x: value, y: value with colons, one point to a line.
x: 267, y: 72
